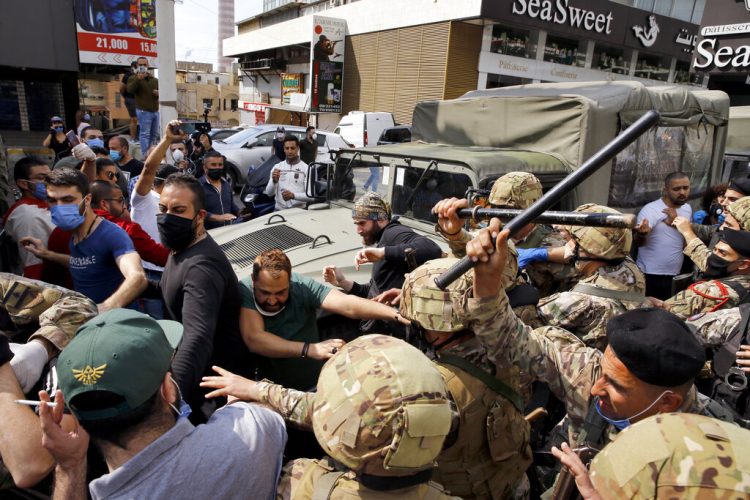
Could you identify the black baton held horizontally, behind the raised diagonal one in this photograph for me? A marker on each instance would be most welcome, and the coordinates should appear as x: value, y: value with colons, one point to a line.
x: 551, y: 217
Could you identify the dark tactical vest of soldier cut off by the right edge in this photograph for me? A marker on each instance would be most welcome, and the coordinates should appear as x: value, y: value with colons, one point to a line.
x: 730, y: 384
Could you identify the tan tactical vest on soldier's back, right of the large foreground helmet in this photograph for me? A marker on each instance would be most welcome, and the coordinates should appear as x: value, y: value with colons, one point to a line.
x: 491, y: 452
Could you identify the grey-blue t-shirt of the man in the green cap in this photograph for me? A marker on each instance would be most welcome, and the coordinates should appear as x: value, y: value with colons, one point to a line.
x: 237, y: 454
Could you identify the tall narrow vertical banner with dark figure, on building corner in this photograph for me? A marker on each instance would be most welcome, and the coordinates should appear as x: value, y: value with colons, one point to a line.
x: 327, y: 64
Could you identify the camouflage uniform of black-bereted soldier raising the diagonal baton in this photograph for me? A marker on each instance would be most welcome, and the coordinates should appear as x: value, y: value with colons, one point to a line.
x: 551, y: 355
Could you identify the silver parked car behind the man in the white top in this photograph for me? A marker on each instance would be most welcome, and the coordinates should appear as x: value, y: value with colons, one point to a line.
x: 252, y: 146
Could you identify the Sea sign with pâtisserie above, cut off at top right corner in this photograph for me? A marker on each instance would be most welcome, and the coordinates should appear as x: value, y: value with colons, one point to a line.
x: 725, y: 43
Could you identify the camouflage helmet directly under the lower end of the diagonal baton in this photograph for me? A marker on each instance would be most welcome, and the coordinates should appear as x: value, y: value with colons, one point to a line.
x: 435, y: 309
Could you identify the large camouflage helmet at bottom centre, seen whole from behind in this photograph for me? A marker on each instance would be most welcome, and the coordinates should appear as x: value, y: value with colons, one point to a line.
x: 381, y: 408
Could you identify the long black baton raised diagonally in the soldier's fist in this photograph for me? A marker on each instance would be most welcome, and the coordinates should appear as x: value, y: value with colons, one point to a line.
x: 600, y: 158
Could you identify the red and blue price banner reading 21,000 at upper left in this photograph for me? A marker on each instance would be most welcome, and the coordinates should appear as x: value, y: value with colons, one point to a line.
x: 116, y: 32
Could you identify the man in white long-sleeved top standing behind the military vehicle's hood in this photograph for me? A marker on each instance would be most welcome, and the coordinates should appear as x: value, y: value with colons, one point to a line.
x: 289, y: 180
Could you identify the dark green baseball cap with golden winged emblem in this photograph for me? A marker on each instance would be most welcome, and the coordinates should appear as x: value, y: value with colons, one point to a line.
x: 122, y: 352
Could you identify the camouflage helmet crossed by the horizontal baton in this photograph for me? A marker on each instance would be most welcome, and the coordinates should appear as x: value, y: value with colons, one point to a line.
x: 602, y: 242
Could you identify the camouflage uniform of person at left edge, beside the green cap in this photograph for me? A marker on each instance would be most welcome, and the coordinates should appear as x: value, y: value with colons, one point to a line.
x: 58, y: 311
